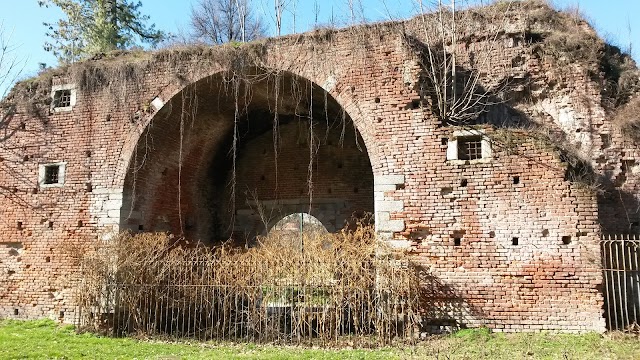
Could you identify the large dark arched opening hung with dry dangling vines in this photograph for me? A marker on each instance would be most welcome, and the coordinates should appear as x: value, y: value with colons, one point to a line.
x: 229, y: 155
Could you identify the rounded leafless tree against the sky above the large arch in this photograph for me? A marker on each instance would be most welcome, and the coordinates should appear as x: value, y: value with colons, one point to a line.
x: 221, y: 21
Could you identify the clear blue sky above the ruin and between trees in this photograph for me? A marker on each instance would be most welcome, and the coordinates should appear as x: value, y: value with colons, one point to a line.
x: 615, y: 20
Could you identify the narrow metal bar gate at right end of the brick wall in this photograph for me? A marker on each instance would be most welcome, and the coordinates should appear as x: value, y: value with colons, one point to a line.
x: 621, y: 271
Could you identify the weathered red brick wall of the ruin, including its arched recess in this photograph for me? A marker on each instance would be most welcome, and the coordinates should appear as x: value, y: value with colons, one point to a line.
x: 509, y: 239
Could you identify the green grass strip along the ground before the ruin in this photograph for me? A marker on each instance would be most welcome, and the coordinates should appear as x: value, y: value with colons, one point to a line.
x: 44, y: 339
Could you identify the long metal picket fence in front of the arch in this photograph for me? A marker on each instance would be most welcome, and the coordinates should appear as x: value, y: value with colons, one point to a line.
x: 191, y: 302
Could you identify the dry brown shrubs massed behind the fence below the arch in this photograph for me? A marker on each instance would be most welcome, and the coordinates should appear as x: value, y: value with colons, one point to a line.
x: 315, y: 287
